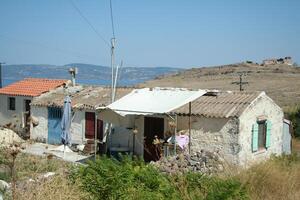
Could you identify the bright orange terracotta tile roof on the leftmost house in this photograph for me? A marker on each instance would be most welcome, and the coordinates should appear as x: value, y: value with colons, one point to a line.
x: 31, y: 87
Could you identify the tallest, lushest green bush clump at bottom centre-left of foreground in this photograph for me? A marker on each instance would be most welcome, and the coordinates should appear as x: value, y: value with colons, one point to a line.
x: 126, y: 179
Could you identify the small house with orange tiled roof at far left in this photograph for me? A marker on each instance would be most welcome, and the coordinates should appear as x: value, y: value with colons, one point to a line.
x: 15, y: 100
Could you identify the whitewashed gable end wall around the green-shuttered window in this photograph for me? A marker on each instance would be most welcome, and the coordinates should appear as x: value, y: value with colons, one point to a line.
x: 267, y: 107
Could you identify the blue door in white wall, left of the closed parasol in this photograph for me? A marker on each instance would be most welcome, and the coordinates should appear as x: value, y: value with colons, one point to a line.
x: 54, y: 129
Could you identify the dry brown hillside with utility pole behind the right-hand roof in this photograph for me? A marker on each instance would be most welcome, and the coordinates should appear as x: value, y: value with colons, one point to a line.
x: 281, y: 82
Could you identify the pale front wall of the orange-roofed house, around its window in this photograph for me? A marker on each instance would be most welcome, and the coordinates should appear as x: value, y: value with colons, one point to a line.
x: 12, y: 116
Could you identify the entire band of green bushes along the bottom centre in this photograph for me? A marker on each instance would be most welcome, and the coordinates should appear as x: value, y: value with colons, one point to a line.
x: 133, y: 179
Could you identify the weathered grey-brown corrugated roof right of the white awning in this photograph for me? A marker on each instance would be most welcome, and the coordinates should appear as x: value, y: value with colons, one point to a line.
x: 222, y: 105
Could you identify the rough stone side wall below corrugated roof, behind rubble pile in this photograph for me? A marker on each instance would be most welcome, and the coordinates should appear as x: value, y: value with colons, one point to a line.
x: 218, y: 135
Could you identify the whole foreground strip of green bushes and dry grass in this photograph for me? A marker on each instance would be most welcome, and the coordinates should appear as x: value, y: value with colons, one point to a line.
x: 277, y: 178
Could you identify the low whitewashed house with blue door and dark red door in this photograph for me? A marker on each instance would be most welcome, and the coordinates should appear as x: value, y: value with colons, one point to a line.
x: 46, y: 111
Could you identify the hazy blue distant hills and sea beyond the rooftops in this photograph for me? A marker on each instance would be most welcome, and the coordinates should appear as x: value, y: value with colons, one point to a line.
x: 88, y: 74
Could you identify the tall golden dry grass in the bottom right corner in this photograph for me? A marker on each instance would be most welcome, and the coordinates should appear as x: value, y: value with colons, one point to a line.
x: 278, y: 178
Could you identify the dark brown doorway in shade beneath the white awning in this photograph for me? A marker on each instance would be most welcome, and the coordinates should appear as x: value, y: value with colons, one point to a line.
x: 152, y: 126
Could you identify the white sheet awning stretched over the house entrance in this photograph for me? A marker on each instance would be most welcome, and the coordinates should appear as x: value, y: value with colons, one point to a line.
x: 150, y: 101
